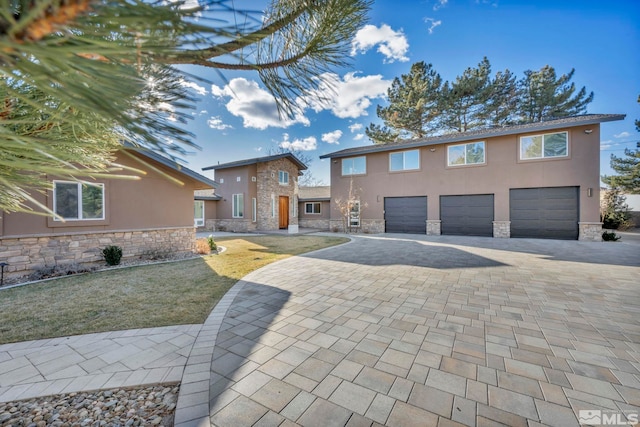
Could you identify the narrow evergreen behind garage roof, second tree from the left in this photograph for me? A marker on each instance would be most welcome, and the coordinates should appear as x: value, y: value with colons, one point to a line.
x: 465, y: 99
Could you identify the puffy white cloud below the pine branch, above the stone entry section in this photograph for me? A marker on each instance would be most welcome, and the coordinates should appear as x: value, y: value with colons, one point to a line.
x: 256, y: 106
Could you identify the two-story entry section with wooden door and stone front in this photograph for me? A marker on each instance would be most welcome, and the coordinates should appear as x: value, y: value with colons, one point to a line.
x: 257, y: 194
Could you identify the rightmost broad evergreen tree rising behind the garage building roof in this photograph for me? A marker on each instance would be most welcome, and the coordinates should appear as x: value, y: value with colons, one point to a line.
x: 544, y: 96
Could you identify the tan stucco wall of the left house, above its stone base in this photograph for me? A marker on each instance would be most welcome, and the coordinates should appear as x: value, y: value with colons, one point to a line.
x: 153, y: 201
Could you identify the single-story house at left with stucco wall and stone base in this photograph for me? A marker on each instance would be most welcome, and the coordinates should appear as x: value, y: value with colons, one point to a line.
x: 145, y: 216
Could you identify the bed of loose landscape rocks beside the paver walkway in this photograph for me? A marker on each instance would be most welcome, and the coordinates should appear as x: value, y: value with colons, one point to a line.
x: 140, y: 406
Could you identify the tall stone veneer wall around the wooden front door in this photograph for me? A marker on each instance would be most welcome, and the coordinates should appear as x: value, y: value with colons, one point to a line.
x: 268, y: 187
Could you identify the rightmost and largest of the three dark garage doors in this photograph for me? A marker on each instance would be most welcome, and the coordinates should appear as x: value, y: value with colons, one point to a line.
x: 546, y: 213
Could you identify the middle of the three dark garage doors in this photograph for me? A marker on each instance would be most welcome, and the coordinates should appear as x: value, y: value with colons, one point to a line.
x: 469, y: 215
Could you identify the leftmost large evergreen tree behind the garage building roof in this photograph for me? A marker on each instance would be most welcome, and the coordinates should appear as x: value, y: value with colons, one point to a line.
x: 414, y: 106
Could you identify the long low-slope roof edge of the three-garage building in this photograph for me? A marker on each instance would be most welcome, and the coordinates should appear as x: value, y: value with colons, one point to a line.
x: 587, y: 119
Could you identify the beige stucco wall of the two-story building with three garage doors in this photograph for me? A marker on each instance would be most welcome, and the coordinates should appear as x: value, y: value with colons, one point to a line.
x: 501, y: 172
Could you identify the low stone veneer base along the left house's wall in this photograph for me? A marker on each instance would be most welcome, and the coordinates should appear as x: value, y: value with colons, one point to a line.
x: 25, y: 254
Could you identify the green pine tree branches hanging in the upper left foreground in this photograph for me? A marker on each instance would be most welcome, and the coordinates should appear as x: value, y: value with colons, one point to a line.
x: 81, y: 76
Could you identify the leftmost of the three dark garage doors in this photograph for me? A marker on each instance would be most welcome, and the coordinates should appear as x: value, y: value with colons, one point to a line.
x: 405, y: 214
